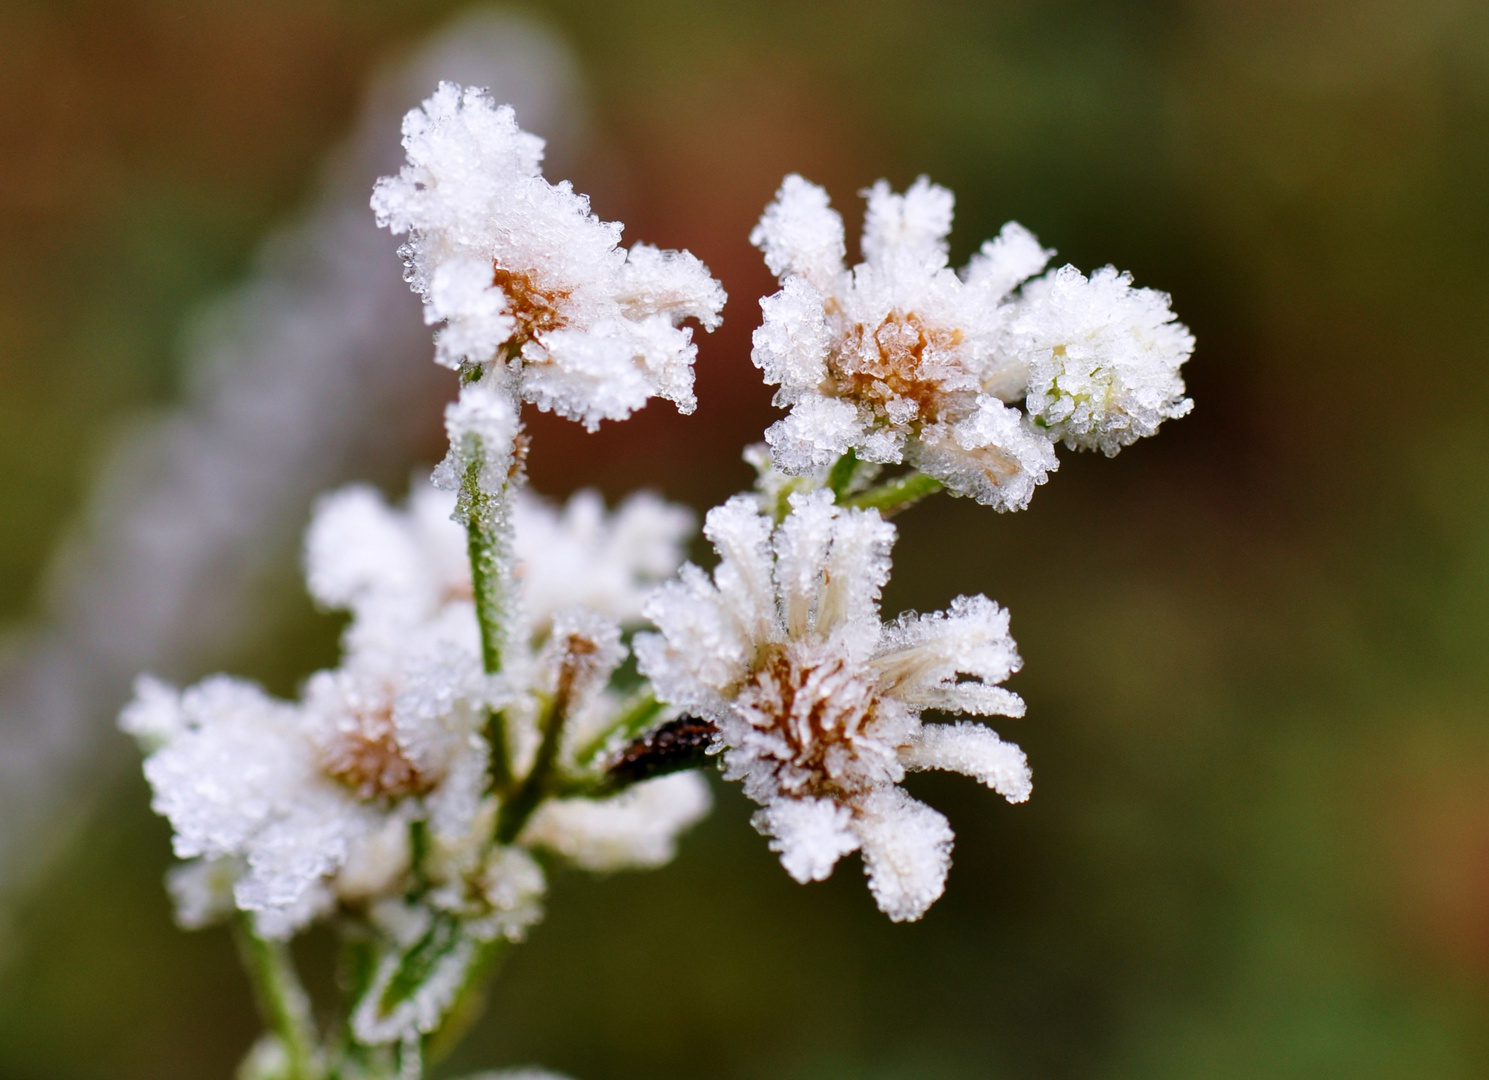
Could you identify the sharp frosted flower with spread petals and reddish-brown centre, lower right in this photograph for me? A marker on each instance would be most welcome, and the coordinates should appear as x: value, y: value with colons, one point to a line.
x: 818, y: 702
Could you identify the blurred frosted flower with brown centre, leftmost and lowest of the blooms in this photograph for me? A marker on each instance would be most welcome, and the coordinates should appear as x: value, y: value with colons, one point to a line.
x: 310, y: 802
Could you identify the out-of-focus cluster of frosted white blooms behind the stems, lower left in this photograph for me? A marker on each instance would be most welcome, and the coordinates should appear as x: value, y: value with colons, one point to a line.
x: 380, y: 774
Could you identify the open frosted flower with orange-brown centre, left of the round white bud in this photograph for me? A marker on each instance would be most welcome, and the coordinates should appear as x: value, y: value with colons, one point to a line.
x: 897, y: 360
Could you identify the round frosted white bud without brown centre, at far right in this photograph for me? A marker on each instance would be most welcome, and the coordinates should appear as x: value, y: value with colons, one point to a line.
x: 1104, y: 358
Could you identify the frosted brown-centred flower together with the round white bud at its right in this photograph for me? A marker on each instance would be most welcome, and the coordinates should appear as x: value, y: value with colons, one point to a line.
x: 905, y: 360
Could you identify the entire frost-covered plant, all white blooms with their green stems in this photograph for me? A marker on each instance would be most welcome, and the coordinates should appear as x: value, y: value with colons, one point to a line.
x: 485, y: 723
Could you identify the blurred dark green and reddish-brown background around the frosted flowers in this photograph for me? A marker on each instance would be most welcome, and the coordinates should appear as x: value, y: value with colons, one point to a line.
x: 1256, y: 646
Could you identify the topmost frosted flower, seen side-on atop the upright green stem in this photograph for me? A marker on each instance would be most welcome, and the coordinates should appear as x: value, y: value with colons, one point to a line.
x: 520, y: 270
